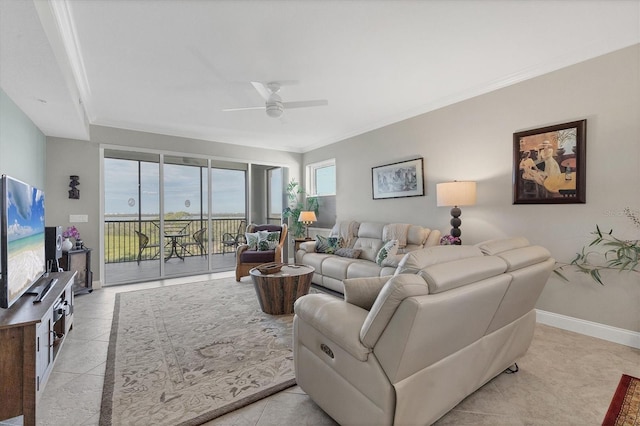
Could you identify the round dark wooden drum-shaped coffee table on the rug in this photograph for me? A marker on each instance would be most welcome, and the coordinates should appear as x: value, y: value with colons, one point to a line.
x: 277, y: 292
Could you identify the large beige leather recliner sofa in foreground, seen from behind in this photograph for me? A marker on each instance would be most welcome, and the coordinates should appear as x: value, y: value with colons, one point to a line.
x: 406, y: 349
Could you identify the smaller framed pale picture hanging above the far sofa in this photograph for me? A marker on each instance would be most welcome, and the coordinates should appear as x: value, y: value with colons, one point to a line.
x: 398, y: 180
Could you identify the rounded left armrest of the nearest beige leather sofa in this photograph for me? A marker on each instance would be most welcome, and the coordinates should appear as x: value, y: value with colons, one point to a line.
x: 338, y: 321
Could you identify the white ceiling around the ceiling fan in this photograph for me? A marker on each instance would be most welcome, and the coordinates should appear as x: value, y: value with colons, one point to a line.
x: 171, y: 66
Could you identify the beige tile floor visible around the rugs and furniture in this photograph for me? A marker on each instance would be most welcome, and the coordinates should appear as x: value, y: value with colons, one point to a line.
x: 565, y: 379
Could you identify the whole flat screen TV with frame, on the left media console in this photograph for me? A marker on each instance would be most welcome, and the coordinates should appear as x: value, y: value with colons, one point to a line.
x: 22, y: 240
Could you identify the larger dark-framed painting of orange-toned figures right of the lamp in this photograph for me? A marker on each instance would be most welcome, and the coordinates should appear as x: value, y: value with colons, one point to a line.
x: 549, y: 164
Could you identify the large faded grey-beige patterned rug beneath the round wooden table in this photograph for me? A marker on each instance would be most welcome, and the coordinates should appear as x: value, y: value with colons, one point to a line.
x: 186, y: 354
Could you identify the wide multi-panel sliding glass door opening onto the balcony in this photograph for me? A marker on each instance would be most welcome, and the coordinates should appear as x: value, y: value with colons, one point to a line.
x: 168, y: 215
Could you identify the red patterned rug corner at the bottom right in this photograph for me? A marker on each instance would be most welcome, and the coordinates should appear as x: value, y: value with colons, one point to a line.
x: 625, y: 405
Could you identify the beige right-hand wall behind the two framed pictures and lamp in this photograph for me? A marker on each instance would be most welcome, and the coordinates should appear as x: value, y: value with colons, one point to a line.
x: 473, y: 140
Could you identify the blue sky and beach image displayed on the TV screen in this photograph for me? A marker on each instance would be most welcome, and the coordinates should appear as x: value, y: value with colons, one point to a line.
x: 25, y: 236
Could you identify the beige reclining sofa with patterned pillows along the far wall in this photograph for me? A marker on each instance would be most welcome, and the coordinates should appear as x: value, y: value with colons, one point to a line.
x: 368, y: 238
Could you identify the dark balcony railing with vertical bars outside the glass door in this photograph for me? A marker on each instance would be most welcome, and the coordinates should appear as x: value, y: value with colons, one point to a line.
x: 123, y: 238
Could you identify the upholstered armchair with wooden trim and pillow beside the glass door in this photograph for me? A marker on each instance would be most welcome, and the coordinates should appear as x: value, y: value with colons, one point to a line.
x: 249, y: 257
